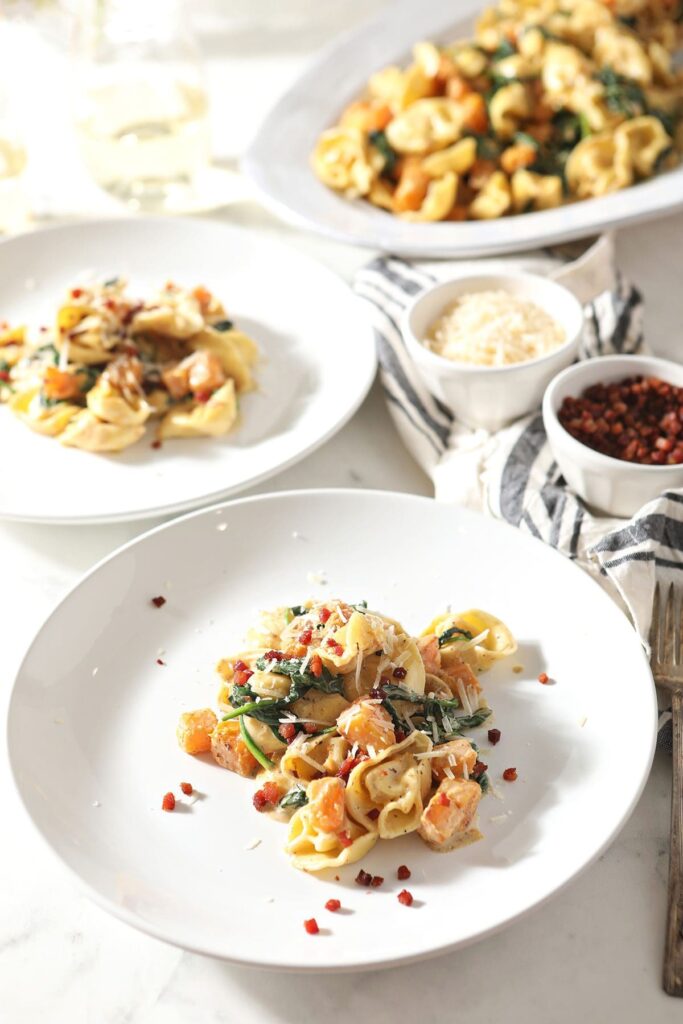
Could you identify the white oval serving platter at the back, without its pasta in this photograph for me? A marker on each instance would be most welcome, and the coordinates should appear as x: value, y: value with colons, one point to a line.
x: 279, y: 160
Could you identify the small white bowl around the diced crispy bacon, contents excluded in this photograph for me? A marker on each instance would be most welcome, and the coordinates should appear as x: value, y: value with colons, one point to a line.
x: 611, y: 486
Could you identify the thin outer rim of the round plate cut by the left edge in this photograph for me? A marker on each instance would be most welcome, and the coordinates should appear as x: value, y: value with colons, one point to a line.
x: 367, y: 375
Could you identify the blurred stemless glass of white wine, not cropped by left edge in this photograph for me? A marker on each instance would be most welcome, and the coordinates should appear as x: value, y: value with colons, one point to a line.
x: 141, y: 106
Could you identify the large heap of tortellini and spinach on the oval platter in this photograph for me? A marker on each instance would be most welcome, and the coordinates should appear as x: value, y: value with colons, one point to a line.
x: 551, y: 102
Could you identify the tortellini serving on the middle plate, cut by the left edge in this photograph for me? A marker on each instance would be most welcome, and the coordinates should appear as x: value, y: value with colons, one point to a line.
x: 111, y: 363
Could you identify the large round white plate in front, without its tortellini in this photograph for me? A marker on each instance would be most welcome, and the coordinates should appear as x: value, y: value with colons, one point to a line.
x: 94, y: 750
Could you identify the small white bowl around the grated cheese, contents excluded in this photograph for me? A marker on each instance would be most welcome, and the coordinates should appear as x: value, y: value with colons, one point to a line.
x: 493, y: 397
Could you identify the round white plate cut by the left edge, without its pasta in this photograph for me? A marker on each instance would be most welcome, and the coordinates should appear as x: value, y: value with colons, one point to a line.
x: 319, y: 362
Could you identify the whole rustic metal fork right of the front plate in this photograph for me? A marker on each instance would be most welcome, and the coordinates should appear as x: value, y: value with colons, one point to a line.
x: 667, y: 662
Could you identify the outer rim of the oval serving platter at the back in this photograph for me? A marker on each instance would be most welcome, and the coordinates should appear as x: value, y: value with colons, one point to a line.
x: 254, y: 165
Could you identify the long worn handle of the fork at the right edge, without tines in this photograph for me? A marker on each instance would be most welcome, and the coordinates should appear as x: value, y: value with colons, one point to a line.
x: 673, y: 962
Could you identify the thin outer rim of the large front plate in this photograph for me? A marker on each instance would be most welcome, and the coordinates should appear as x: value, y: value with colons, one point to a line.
x: 130, y: 918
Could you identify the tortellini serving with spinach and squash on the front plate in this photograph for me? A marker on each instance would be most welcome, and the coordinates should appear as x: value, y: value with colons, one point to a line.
x: 355, y: 729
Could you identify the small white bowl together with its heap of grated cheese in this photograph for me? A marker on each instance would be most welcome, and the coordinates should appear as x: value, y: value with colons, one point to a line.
x: 506, y: 353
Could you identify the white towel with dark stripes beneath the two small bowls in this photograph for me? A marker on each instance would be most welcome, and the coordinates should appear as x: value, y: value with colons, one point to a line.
x: 511, y: 475
